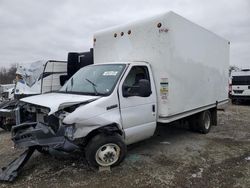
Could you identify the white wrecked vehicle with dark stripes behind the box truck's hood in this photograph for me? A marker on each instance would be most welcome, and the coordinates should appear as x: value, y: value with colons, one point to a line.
x: 39, y: 77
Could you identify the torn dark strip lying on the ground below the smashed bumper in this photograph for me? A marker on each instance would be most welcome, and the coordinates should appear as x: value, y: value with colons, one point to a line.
x: 10, y: 172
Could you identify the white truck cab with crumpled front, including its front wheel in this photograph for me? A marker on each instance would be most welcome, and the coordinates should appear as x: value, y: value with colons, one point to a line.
x: 119, y: 98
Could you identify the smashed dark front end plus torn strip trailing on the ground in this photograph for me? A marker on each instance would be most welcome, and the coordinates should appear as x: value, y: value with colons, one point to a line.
x: 35, y: 129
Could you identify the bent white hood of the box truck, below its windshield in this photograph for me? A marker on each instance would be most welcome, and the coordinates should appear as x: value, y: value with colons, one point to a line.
x: 54, y: 100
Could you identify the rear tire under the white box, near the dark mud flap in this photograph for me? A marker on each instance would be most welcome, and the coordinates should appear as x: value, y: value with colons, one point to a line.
x: 205, y: 122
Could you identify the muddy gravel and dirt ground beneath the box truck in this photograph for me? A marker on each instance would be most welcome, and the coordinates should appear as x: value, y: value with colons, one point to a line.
x: 174, y: 157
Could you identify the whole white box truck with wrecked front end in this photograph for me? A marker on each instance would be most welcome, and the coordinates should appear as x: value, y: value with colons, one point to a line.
x: 160, y: 69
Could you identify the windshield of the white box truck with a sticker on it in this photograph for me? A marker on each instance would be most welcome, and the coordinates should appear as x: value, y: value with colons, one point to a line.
x: 94, y: 80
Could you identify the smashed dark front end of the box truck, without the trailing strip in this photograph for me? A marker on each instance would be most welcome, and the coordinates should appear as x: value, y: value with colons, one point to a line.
x: 36, y: 128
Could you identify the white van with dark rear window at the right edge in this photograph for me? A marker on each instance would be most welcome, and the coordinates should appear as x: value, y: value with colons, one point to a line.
x: 240, y: 84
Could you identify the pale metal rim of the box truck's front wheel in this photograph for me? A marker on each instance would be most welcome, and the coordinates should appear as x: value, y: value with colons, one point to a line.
x: 107, y: 154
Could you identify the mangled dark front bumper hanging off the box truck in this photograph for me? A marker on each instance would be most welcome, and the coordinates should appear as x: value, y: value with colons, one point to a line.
x: 38, y: 134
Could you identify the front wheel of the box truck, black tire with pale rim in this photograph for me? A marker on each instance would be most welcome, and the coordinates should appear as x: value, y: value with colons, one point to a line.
x: 105, y: 150
